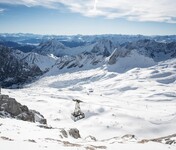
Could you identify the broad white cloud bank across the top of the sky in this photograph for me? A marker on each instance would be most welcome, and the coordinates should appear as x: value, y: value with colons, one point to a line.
x: 136, y: 10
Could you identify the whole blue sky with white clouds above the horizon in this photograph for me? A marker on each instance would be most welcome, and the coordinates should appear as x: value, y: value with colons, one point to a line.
x: 68, y: 17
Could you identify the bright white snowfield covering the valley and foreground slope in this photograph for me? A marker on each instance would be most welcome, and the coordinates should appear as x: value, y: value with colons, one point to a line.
x: 140, y: 101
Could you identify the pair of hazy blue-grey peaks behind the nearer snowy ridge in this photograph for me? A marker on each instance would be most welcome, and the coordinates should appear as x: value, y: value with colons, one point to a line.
x: 55, y: 47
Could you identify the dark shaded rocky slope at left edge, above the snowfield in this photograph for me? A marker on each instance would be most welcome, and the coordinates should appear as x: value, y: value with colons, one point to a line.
x: 13, y: 71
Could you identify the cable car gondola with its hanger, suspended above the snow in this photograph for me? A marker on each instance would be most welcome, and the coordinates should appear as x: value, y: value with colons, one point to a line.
x: 77, y: 114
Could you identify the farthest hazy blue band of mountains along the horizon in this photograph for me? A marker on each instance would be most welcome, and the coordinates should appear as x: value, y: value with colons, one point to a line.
x: 80, y: 40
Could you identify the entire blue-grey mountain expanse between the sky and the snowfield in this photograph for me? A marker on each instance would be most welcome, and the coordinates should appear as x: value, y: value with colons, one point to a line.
x: 25, y: 56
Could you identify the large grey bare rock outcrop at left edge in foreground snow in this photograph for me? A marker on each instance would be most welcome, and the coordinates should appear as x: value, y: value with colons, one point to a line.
x: 9, y: 107
